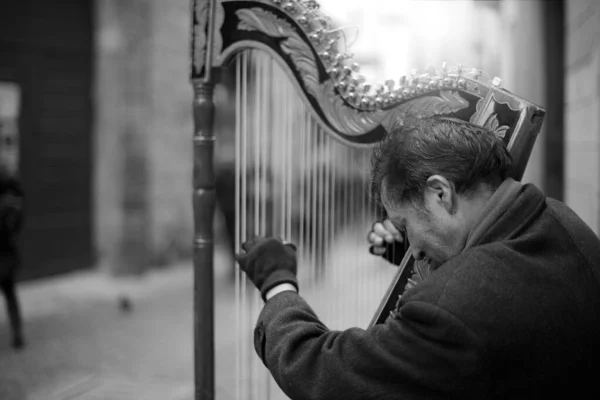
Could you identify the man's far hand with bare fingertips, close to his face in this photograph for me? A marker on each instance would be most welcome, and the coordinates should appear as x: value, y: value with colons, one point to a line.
x: 387, y: 241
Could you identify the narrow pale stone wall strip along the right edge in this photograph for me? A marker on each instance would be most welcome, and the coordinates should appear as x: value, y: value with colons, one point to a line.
x: 582, y: 104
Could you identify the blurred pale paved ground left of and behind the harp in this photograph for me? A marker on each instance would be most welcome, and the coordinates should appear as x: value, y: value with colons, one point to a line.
x: 80, y: 346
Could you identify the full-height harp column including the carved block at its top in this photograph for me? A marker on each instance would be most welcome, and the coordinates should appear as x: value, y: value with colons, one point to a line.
x: 204, y: 197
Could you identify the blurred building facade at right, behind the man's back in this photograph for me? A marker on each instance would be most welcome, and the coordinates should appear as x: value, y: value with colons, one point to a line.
x: 551, y: 56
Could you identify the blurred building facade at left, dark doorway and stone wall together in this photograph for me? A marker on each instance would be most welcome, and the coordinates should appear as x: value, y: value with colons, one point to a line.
x: 105, y: 130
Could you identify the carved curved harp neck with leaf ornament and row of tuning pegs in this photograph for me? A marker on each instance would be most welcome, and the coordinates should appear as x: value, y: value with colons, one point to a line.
x: 296, y: 33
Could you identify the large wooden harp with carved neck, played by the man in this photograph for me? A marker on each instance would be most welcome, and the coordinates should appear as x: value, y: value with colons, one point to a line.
x: 285, y: 147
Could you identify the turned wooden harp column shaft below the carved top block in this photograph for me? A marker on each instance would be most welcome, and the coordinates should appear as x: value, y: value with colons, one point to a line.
x: 204, y: 206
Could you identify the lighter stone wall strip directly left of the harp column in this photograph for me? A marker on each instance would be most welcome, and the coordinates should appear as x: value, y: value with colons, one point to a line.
x: 172, y: 131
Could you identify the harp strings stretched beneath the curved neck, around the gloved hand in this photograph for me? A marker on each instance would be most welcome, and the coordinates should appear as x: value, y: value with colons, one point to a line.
x: 295, y: 181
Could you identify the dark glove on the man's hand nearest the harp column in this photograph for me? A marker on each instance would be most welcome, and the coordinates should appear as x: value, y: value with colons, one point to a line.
x: 268, y: 262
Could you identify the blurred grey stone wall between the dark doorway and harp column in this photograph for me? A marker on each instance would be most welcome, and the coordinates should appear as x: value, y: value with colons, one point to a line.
x: 143, y: 133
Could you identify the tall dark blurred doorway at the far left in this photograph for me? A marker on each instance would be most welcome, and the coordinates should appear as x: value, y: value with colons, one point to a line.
x: 46, y: 49
